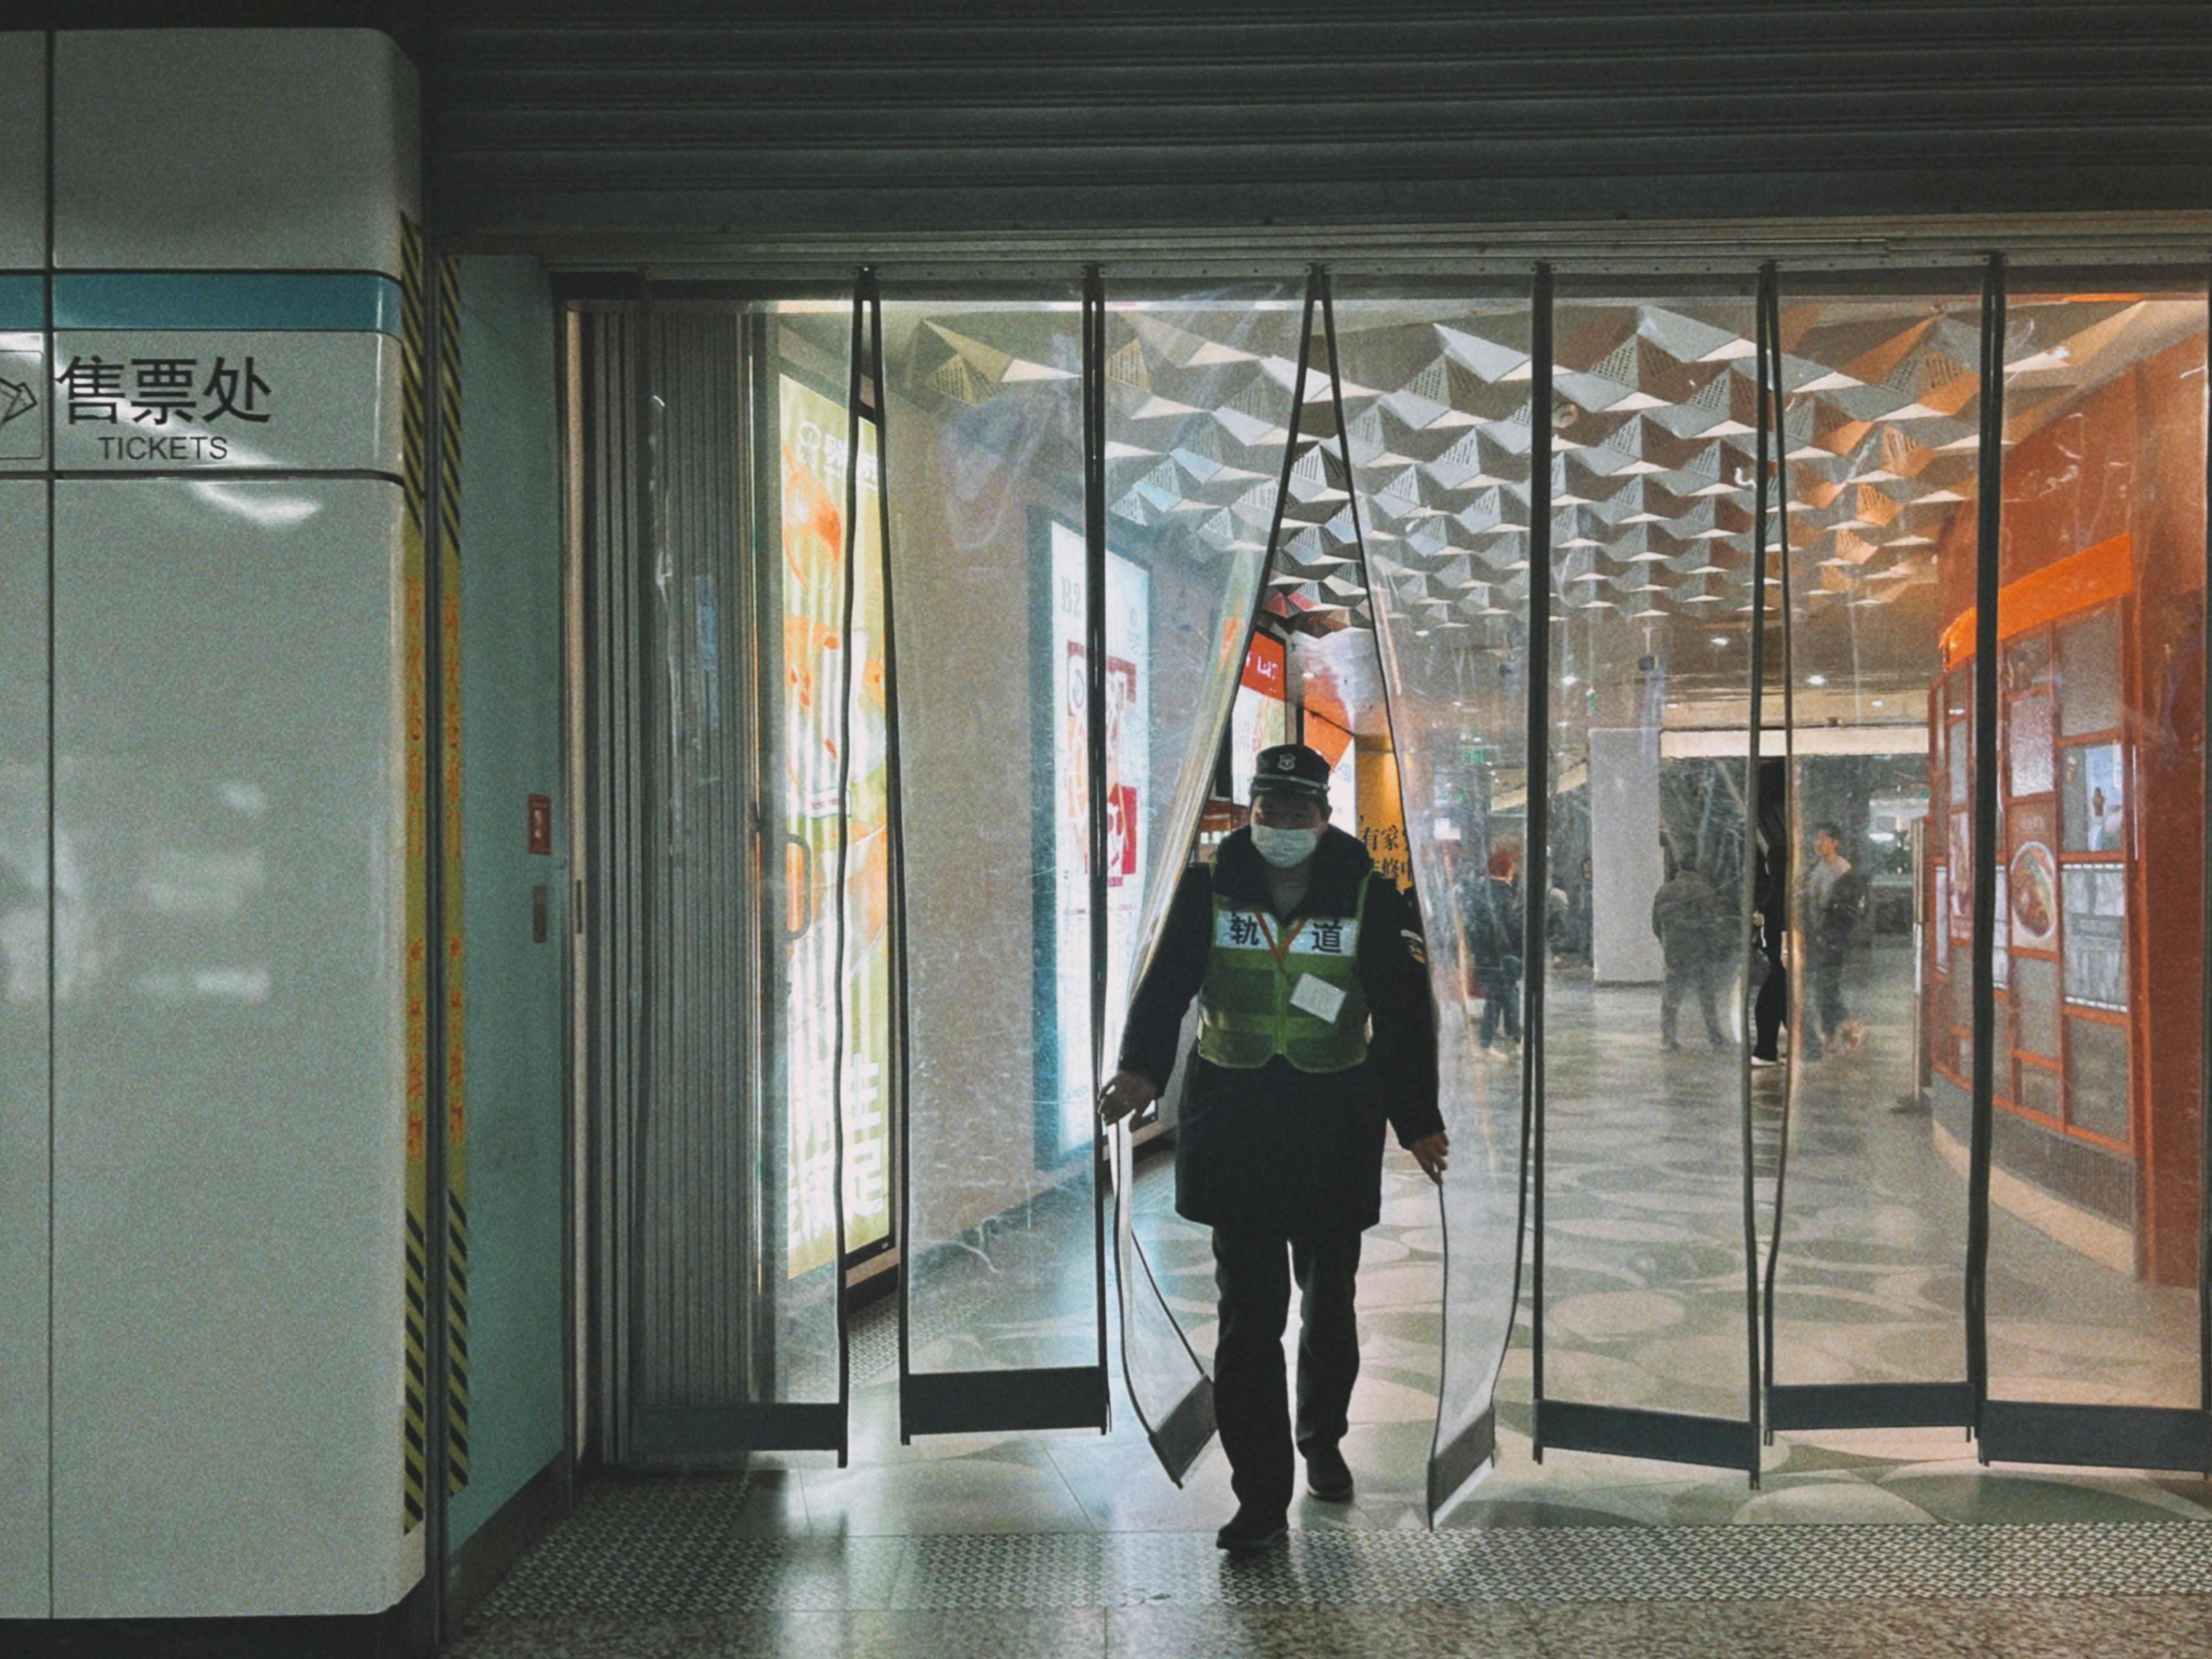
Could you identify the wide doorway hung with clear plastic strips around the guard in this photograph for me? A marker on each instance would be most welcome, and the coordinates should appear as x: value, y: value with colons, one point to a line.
x: 915, y: 638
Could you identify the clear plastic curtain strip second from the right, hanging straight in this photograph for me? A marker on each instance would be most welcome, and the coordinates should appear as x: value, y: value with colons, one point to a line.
x: 1881, y: 450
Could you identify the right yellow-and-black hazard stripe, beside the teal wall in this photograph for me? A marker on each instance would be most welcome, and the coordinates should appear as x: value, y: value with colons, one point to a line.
x: 457, y: 959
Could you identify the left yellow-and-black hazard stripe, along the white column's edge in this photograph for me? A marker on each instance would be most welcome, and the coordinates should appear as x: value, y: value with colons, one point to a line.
x: 415, y: 680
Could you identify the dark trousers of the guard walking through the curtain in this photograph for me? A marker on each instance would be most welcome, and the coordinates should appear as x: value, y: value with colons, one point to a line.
x: 1251, y: 1397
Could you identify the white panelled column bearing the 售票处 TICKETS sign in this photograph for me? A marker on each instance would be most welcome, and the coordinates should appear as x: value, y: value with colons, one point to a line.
x: 231, y: 1027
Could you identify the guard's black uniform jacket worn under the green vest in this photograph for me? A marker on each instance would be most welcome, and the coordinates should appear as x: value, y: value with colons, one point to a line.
x: 1273, y: 1147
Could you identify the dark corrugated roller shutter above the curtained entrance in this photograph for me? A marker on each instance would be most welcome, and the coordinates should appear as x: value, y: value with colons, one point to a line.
x: 570, y: 127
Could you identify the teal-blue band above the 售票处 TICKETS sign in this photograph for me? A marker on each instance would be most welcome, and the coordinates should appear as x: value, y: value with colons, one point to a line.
x: 271, y: 302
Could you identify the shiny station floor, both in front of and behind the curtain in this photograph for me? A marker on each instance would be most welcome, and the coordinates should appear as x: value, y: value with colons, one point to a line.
x: 1078, y: 1545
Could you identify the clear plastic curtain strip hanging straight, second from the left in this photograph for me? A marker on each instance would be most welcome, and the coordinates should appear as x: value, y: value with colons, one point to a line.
x: 997, y: 620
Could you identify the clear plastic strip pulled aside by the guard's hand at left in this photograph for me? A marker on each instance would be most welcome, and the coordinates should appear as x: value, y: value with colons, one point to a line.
x: 1196, y: 404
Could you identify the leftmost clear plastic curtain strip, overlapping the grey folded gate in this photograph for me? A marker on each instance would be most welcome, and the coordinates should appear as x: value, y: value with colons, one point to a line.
x: 742, y: 1207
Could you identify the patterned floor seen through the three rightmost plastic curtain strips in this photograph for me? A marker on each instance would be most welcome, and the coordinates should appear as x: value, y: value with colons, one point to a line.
x: 1645, y: 1233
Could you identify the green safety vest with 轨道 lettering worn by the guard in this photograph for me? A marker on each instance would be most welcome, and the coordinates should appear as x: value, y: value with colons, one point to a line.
x: 1284, y: 990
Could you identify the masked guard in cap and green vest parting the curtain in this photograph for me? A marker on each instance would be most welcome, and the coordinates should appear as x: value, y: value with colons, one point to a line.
x: 1315, y: 1027
